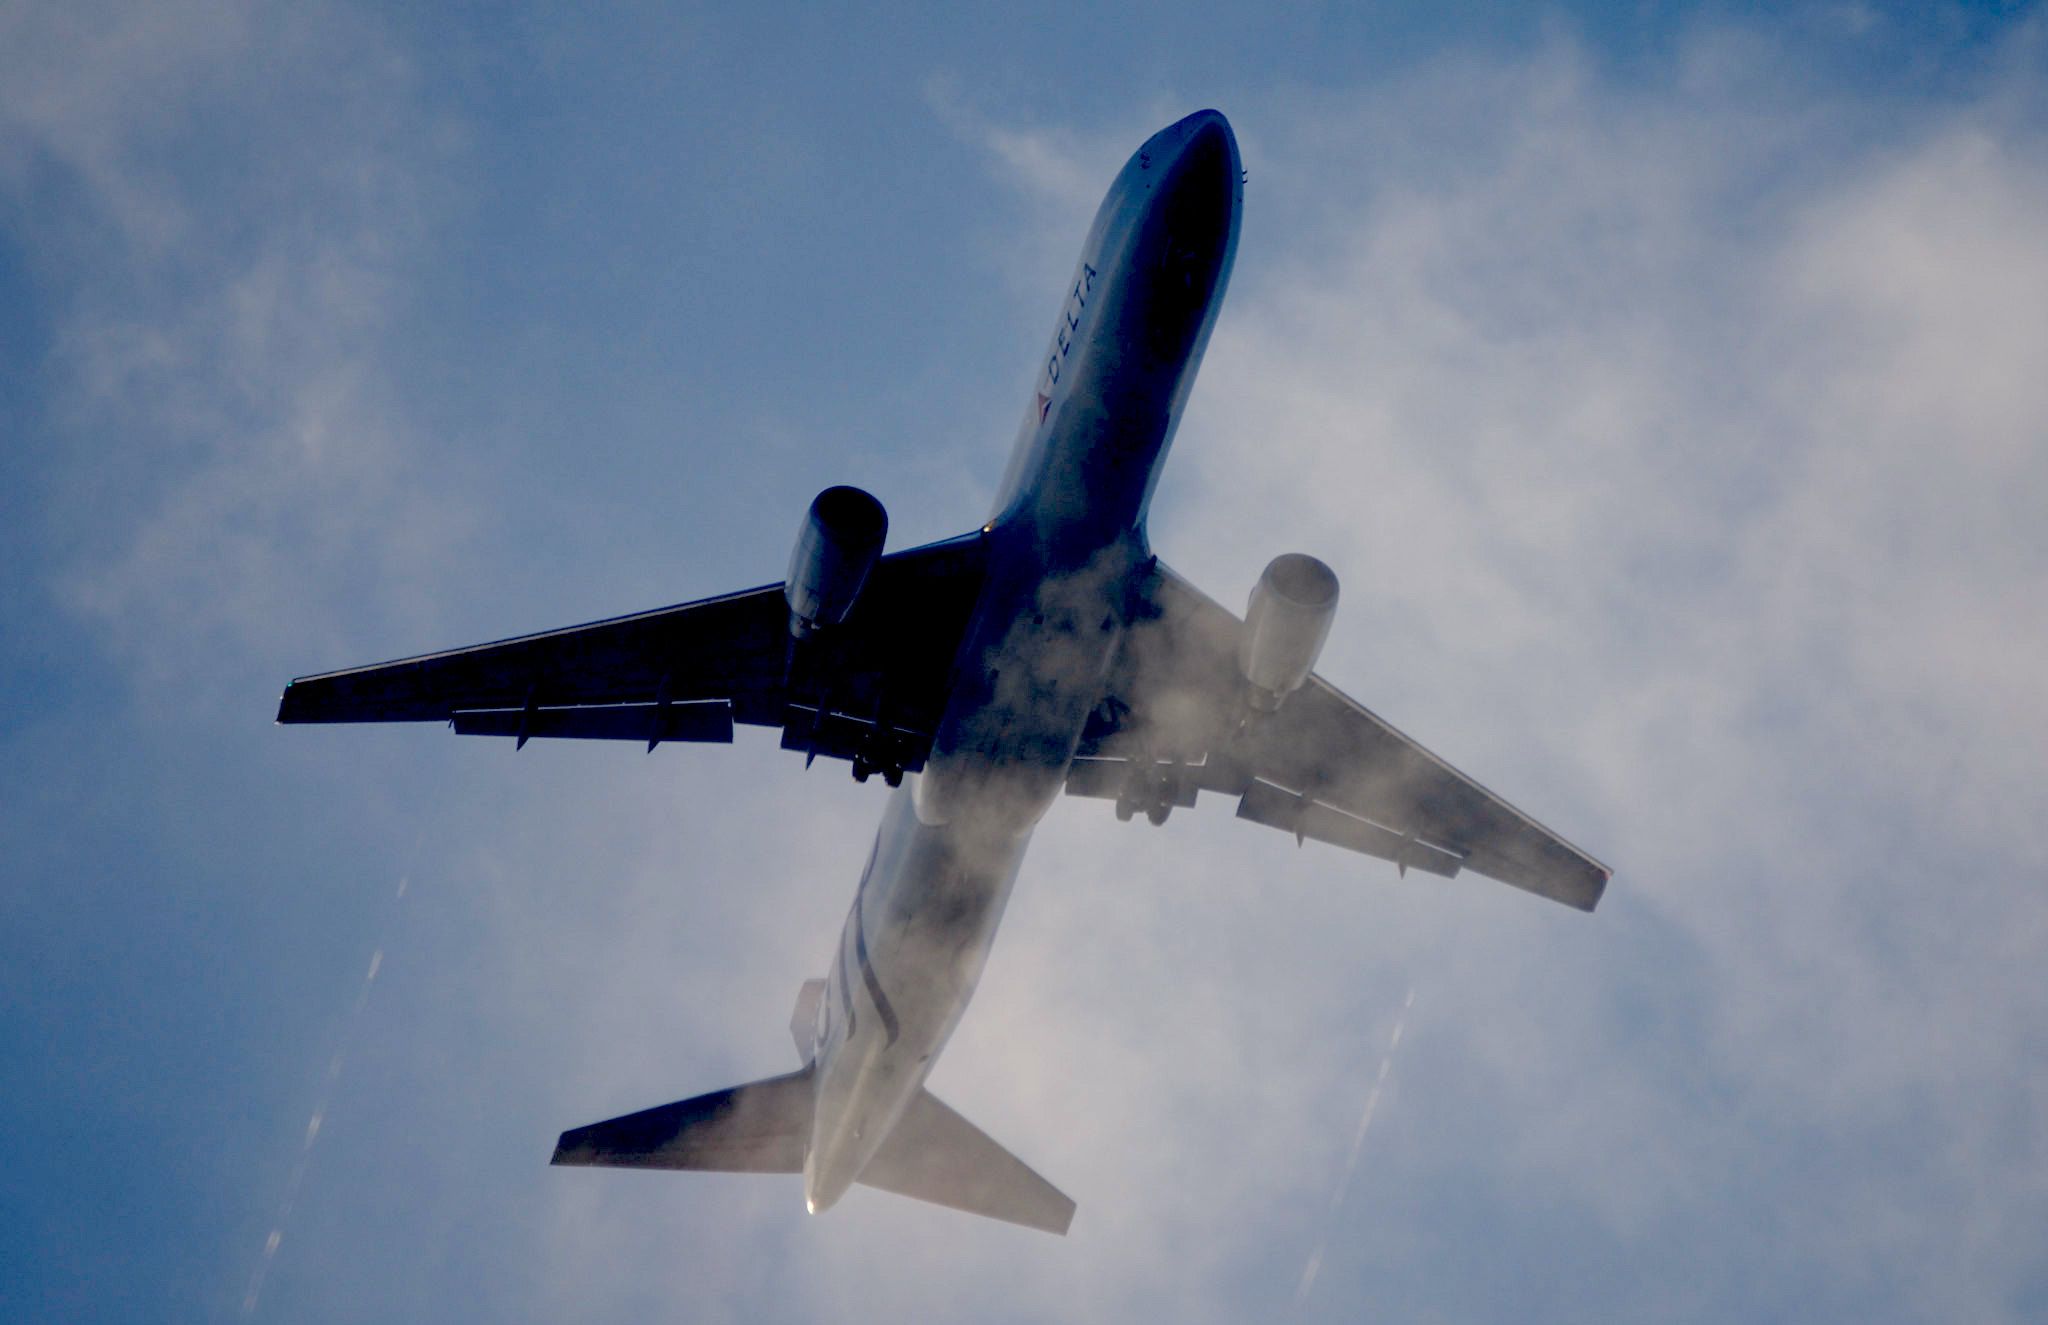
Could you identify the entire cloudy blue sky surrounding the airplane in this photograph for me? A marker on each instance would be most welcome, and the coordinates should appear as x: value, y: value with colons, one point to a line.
x: 1664, y: 384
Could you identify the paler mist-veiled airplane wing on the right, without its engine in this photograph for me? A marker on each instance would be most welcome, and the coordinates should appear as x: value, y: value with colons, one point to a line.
x: 1324, y: 767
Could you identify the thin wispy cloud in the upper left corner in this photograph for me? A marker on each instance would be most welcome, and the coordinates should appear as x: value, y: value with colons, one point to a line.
x: 220, y: 323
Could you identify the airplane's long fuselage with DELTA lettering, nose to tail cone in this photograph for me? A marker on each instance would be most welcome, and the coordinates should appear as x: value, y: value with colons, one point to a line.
x: 1064, y: 544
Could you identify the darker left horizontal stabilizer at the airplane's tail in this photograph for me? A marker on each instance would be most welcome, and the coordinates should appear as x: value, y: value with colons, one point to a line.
x: 749, y: 1129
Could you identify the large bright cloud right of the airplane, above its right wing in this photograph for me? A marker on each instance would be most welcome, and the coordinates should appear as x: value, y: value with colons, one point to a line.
x: 1723, y: 507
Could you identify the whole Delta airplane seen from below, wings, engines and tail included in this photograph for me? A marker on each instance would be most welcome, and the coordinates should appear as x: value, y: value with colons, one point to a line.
x: 984, y: 677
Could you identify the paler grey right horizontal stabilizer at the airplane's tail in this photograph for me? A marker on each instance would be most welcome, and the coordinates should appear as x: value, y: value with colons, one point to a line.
x: 935, y: 1154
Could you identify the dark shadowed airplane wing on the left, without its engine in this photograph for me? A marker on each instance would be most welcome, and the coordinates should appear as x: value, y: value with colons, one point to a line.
x: 871, y: 687
